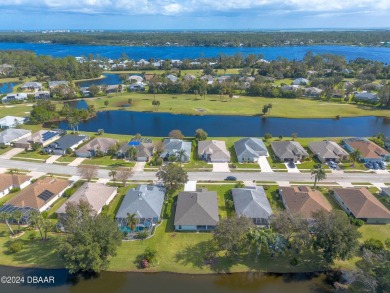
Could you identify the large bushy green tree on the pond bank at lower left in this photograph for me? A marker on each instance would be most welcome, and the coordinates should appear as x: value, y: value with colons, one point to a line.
x: 91, y: 240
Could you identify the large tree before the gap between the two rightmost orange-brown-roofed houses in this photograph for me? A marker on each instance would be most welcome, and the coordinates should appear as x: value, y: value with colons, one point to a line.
x: 335, y: 237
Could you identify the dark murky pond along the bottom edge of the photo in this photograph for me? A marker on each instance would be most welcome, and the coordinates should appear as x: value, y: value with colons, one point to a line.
x: 116, y: 282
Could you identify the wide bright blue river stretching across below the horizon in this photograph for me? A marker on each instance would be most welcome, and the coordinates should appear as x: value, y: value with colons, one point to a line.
x: 270, y: 53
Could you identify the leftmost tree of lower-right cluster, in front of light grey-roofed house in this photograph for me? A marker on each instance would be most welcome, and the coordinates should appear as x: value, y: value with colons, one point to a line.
x: 231, y: 235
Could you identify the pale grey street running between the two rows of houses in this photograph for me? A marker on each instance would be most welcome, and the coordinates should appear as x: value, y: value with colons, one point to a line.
x: 244, y: 176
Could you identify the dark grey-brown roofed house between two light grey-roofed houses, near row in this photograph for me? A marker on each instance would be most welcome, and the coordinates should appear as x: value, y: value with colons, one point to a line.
x: 196, y: 211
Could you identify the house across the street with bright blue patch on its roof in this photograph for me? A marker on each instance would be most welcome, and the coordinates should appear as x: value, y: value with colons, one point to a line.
x: 144, y: 147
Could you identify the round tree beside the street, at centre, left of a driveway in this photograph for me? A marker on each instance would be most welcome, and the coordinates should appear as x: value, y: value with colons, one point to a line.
x: 173, y: 176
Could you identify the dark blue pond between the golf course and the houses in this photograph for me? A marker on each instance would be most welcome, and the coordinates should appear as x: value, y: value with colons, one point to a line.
x: 160, y: 124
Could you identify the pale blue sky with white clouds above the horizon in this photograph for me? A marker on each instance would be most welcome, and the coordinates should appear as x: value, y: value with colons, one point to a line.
x: 191, y: 14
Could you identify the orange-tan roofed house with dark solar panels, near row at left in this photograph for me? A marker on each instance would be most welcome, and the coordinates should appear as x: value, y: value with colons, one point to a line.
x: 39, y: 196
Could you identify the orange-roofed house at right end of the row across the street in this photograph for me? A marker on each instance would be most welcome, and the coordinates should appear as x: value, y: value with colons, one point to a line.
x: 370, y: 152
